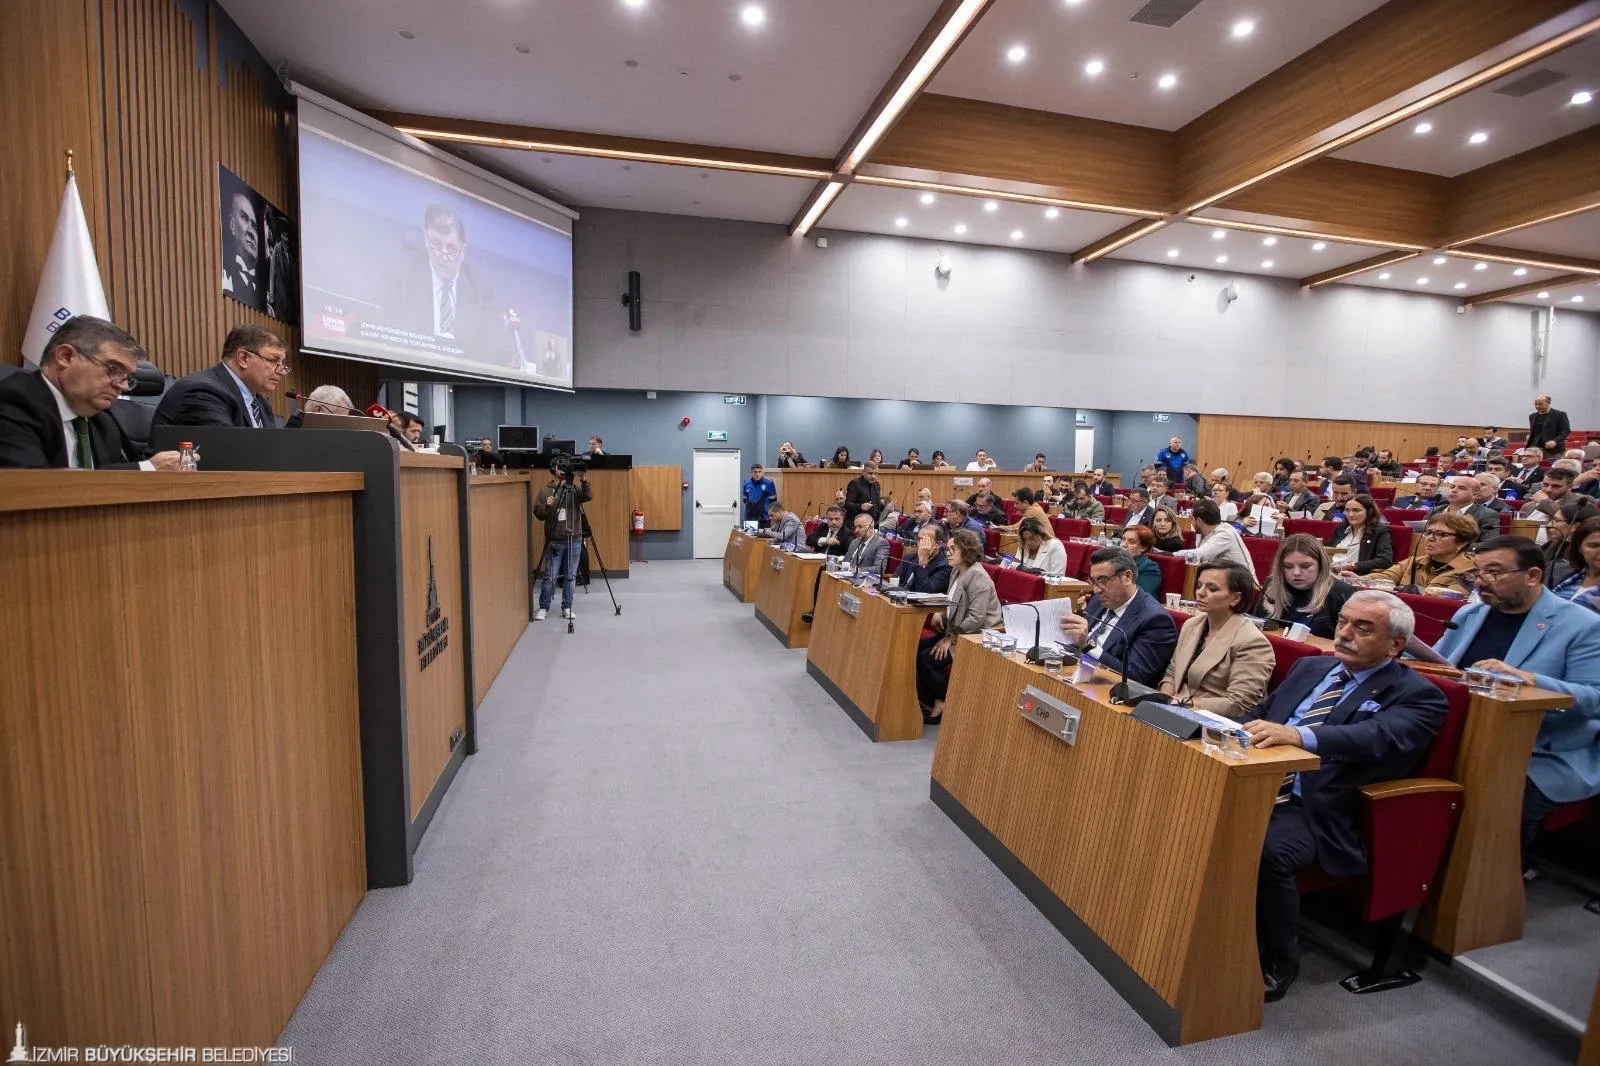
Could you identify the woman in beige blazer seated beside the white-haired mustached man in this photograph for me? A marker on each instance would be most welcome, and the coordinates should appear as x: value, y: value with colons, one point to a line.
x: 1223, y: 662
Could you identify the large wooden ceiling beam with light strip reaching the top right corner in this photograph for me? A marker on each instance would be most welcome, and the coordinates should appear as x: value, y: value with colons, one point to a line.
x: 1404, y: 58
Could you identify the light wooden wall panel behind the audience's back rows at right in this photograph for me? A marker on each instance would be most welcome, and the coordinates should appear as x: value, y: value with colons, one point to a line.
x: 1252, y: 444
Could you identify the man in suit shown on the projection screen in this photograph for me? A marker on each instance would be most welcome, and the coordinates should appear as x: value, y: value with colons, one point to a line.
x: 441, y: 295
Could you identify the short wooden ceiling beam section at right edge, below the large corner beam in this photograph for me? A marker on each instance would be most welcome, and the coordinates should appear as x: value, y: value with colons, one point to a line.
x: 1538, y: 186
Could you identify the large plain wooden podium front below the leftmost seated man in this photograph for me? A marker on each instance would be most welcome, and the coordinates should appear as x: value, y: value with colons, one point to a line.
x: 183, y: 788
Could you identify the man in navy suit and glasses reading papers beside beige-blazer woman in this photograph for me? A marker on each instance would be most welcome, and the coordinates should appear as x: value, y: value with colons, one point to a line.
x: 1124, y: 627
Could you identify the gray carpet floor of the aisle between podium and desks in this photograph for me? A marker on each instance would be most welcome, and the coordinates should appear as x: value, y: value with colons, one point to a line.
x: 673, y: 848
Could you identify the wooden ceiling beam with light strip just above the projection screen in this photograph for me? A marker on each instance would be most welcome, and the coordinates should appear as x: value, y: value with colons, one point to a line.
x: 604, y: 146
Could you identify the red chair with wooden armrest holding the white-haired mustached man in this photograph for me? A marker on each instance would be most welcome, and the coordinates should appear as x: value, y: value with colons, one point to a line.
x: 1406, y: 827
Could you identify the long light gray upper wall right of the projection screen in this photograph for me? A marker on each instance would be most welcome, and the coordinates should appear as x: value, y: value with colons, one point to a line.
x: 743, y: 308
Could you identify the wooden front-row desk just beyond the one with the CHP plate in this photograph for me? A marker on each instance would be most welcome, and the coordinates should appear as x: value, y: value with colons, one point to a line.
x: 868, y: 662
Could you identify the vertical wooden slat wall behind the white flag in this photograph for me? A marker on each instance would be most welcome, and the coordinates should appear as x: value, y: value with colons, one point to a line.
x: 148, y: 150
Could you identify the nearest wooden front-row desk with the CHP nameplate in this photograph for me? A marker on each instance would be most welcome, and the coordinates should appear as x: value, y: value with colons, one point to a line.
x: 1142, y: 849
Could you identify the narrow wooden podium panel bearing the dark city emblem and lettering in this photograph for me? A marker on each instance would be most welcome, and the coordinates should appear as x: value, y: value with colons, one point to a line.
x: 431, y: 559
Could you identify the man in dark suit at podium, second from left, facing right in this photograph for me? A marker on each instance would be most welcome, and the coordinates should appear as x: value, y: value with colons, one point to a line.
x: 234, y: 391
